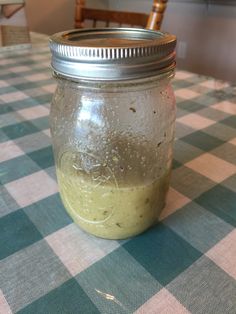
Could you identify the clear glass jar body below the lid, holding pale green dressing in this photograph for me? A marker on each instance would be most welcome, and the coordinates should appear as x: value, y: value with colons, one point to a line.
x: 113, y: 145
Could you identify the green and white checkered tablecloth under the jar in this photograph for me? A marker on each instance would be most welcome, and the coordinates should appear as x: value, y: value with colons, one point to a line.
x: 186, y: 264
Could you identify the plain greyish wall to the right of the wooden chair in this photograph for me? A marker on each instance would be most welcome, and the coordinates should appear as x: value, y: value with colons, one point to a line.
x: 210, y: 37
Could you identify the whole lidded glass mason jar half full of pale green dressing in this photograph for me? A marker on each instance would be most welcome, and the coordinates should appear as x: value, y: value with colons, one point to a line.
x: 112, y: 125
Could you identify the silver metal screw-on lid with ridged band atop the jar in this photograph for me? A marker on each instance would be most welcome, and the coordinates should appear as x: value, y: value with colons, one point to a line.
x: 112, y: 53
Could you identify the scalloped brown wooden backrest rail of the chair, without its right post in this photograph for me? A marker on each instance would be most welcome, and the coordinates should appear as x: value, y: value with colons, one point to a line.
x: 108, y: 16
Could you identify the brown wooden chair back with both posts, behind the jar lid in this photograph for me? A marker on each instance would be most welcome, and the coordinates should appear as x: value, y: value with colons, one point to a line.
x: 119, y: 17
